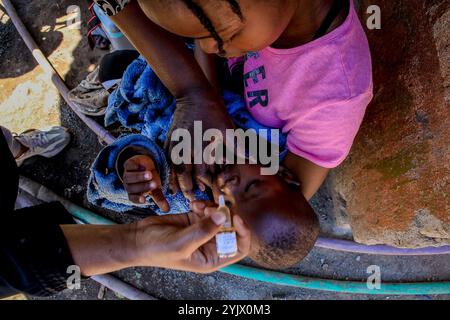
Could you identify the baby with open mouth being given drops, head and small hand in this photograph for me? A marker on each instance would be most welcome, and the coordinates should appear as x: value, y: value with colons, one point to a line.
x: 284, y: 227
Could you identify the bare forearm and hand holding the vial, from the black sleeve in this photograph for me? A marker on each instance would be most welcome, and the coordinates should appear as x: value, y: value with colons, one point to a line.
x: 181, y: 242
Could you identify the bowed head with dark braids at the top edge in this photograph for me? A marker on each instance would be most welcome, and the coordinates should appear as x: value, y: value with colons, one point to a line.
x: 230, y: 28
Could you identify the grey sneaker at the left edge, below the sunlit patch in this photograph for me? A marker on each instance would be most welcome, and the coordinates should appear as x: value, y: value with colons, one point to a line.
x: 47, y: 143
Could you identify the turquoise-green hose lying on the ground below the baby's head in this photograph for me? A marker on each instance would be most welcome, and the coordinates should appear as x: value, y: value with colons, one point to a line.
x: 283, y: 279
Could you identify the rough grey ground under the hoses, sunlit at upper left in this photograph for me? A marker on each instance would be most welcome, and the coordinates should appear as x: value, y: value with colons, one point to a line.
x: 27, y: 100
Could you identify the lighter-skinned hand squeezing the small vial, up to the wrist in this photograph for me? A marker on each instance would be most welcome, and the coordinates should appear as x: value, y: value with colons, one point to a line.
x: 186, y: 241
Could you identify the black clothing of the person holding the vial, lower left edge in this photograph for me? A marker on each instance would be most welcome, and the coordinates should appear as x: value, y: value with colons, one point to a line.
x: 34, y: 255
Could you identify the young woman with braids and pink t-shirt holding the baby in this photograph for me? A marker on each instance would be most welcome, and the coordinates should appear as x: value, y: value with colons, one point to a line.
x: 306, y: 70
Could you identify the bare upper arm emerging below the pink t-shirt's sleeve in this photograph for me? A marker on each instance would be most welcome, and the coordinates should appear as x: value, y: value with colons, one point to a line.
x: 310, y: 175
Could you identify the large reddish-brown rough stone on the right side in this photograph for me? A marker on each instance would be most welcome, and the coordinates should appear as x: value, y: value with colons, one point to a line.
x: 395, y: 187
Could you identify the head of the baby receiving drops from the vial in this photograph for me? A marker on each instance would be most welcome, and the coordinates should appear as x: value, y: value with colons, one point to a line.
x: 284, y: 227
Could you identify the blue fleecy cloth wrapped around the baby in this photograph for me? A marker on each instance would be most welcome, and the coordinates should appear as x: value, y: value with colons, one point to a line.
x: 143, y: 104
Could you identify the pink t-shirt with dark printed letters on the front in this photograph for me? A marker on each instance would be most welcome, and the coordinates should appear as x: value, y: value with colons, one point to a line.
x: 317, y: 93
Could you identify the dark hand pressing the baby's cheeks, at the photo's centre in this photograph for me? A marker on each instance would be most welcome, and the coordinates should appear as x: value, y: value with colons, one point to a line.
x: 213, y: 115
